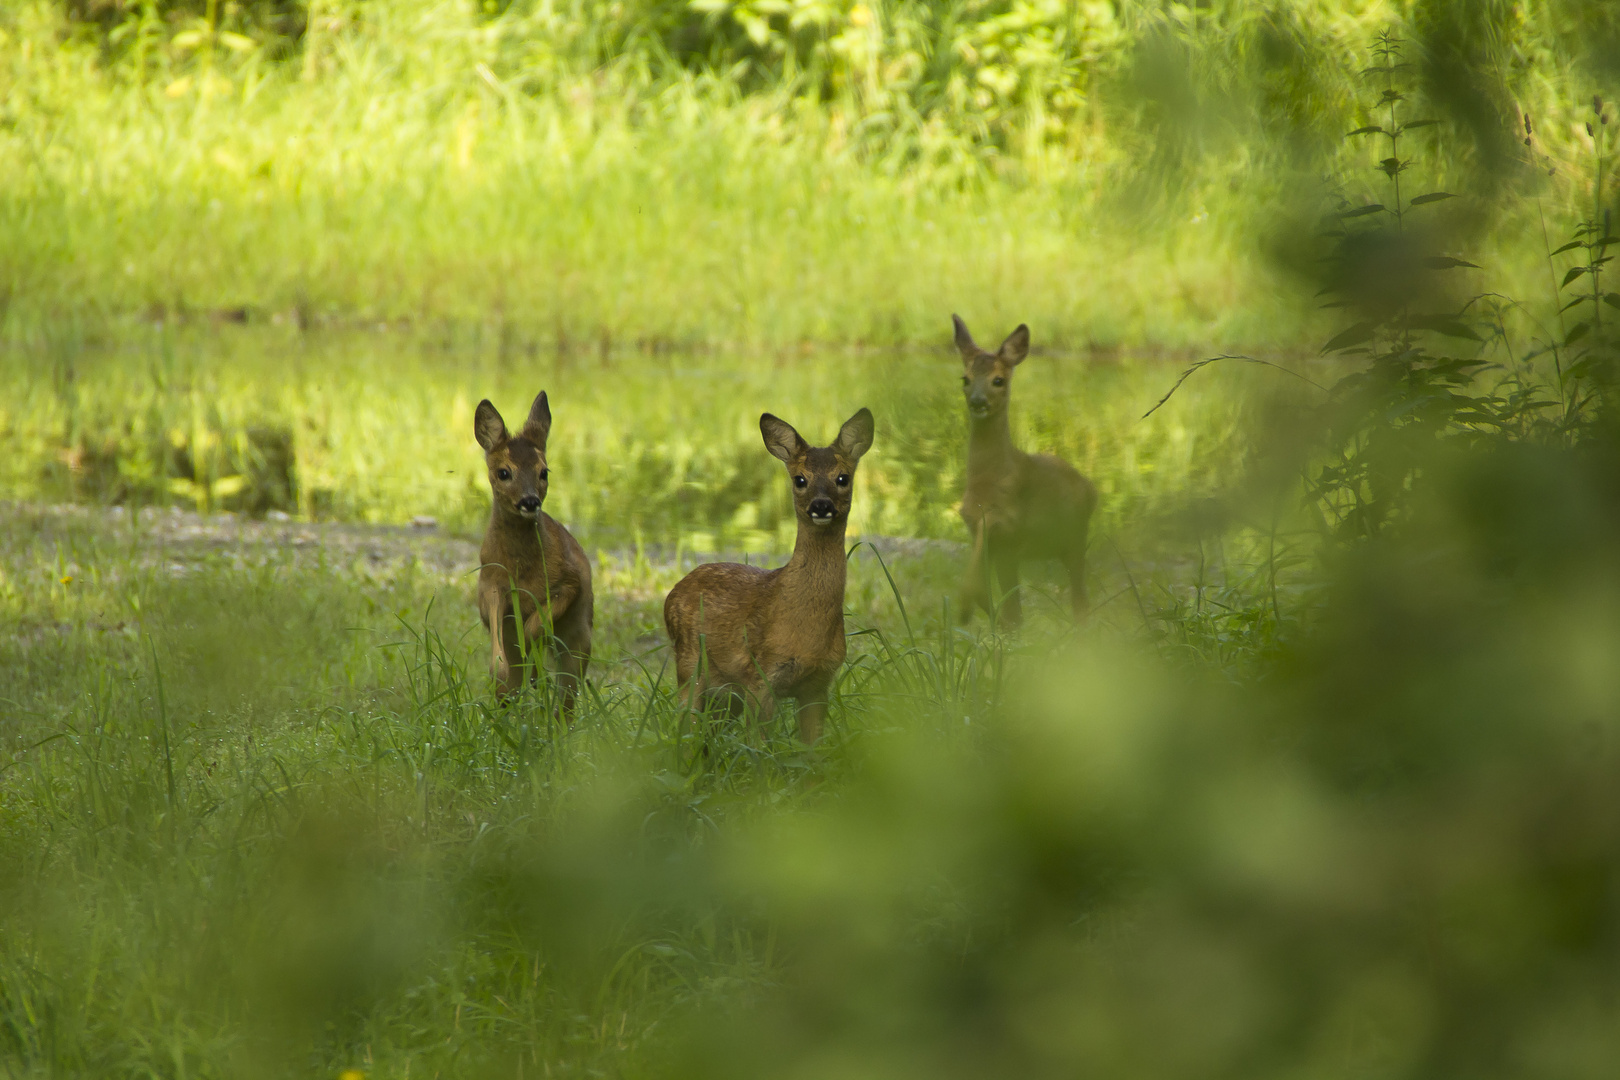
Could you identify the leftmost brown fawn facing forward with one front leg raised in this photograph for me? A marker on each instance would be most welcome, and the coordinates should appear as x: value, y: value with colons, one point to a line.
x: 535, y: 580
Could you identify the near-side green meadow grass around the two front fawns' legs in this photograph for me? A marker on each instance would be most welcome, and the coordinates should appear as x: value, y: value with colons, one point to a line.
x: 291, y: 830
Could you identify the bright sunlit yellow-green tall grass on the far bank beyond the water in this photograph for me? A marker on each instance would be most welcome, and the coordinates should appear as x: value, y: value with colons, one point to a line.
x: 607, y: 213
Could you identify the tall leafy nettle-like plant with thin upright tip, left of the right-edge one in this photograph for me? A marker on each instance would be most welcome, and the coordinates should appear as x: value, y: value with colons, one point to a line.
x: 1389, y: 266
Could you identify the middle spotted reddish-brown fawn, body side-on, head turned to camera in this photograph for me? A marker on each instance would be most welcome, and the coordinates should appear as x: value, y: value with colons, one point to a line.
x: 777, y: 634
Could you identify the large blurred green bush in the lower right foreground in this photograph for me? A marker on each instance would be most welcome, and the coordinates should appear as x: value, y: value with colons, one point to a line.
x: 1399, y: 857
